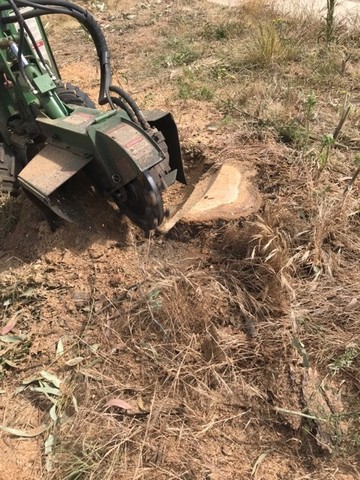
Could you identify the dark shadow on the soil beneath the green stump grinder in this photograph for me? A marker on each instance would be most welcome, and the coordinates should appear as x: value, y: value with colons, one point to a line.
x: 27, y: 236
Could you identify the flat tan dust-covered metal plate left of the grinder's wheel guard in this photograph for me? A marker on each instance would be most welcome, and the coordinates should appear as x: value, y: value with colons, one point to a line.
x: 50, y: 169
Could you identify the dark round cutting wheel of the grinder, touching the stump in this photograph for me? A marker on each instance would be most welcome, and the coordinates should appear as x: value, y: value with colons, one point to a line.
x: 141, y: 201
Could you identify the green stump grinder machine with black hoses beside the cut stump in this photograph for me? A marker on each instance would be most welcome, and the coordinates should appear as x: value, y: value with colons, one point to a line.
x: 50, y: 131
